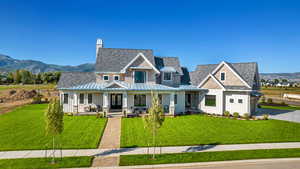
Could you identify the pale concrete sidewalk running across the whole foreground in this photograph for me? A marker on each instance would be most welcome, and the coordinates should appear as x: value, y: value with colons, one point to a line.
x: 128, y: 151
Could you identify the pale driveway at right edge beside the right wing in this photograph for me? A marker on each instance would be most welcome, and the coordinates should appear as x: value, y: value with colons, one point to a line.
x: 287, y: 115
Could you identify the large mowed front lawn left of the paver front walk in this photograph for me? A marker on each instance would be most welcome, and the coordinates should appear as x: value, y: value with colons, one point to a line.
x: 24, y: 128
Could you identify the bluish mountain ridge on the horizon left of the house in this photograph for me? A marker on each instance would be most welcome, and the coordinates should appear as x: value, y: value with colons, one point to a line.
x: 8, y: 64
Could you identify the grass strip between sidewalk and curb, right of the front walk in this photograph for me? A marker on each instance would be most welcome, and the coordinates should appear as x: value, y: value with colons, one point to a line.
x: 127, y: 160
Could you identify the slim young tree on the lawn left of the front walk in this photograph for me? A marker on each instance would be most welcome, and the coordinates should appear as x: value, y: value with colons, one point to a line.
x: 54, y: 122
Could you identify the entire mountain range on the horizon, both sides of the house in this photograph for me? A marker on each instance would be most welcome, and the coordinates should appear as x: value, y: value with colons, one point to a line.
x: 8, y: 64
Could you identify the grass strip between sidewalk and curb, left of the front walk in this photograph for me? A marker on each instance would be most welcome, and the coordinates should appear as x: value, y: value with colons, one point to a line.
x: 42, y: 163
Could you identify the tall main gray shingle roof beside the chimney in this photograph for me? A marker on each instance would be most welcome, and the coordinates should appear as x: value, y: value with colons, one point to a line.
x: 115, y: 59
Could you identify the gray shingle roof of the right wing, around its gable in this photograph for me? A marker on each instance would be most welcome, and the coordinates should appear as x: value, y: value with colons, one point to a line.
x: 246, y: 70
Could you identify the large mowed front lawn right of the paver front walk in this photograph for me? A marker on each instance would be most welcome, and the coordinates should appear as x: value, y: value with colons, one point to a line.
x: 202, y: 129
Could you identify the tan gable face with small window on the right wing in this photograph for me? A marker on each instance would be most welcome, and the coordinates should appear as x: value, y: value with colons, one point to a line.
x: 231, y: 79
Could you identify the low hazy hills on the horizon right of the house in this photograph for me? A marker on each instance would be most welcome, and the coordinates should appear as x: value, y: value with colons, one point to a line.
x: 289, y: 76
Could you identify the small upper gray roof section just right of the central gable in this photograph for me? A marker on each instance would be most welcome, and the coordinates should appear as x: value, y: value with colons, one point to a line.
x: 162, y: 62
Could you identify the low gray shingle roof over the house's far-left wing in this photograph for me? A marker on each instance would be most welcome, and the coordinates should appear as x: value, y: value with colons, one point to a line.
x: 69, y: 79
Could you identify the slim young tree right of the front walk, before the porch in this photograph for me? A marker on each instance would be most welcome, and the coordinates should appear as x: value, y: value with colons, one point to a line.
x: 154, y: 120
